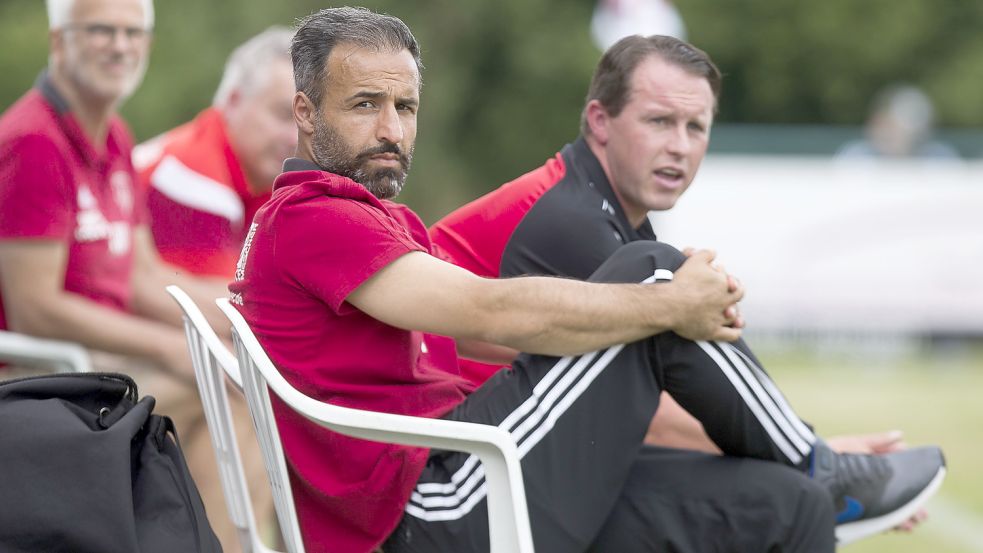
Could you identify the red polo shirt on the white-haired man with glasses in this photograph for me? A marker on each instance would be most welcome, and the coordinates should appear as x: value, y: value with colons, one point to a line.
x: 55, y: 185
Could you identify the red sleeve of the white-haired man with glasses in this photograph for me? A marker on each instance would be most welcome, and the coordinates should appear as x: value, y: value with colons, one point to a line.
x: 36, y: 199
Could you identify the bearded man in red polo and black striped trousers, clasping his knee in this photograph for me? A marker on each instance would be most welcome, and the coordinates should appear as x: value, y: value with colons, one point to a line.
x: 340, y: 287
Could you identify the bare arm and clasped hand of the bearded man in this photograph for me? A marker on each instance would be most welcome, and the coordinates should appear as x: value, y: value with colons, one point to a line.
x: 549, y: 315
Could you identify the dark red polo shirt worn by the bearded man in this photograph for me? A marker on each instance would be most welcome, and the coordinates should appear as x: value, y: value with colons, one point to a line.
x: 318, y: 238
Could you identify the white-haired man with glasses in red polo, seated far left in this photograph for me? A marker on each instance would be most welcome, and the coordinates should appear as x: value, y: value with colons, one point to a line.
x: 77, y: 261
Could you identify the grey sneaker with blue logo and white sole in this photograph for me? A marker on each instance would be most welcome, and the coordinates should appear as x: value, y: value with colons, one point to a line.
x: 874, y: 493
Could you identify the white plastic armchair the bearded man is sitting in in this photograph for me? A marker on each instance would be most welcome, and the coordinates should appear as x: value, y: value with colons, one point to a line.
x: 508, y: 517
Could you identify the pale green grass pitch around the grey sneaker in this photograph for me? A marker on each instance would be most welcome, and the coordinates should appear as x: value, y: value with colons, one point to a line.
x: 934, y: 397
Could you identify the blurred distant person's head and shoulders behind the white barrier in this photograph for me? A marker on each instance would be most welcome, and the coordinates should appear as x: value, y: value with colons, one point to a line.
x: 900, y: 125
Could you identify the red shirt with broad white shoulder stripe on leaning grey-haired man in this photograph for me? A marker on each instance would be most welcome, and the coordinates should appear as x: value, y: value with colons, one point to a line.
x: 199, y: 201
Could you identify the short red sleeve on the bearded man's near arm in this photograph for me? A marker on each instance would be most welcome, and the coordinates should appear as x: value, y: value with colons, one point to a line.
x: 331, y: 246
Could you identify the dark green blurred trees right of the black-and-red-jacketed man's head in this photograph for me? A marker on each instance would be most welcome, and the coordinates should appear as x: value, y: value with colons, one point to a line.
x: 821, y: 62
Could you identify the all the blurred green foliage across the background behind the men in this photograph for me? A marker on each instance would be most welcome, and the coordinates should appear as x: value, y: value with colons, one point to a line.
x: 505, y: 79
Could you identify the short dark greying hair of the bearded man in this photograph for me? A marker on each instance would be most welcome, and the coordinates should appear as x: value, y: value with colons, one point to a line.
x: 318, y: 33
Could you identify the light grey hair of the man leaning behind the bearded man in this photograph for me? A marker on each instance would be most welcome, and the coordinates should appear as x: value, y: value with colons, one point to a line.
x: 247, y: 67
